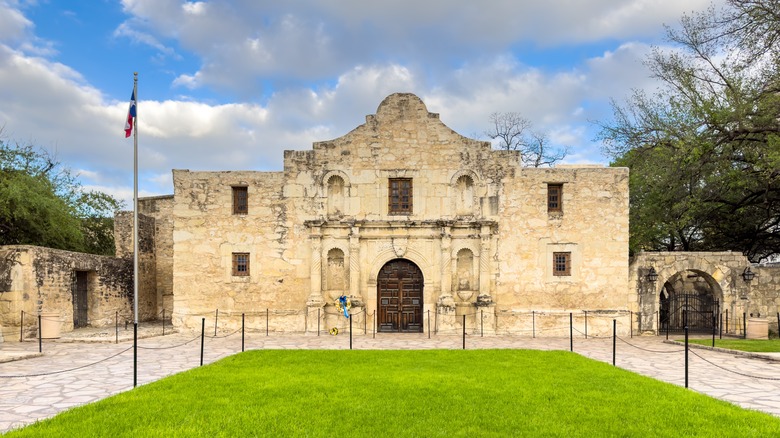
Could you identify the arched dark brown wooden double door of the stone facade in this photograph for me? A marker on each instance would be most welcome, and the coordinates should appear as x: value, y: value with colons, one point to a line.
x: 400, y: 297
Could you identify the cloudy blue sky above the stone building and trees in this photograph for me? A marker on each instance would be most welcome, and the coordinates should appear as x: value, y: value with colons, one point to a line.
x: 231, y: 84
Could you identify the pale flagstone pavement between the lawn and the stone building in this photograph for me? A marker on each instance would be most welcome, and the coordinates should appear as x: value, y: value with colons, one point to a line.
x: 93, y: 371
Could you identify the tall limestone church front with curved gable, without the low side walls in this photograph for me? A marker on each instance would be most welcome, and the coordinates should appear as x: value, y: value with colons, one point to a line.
x: 477, y: 232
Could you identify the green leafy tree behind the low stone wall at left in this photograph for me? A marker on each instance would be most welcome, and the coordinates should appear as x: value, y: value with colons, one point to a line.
x: 42, y: 203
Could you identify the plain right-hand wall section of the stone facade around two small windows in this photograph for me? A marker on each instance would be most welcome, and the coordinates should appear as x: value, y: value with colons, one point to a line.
x: 593, y: 226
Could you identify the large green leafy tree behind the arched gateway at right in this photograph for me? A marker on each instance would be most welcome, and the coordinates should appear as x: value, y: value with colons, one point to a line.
x: 704, y: 150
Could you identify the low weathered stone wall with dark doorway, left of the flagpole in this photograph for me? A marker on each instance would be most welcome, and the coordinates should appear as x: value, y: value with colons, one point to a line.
x: 35, y: 280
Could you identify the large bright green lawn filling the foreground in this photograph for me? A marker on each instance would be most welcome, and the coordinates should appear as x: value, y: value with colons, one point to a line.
x: 407, y: 393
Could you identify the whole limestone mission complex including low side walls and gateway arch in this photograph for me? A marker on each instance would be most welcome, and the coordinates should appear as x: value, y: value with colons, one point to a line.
x: 417, y: 225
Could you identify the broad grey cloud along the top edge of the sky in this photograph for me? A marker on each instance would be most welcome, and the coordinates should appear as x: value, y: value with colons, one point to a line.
x: 305, y: 41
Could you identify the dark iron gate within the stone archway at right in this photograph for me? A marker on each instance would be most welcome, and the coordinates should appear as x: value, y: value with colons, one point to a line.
x: 695, y: 311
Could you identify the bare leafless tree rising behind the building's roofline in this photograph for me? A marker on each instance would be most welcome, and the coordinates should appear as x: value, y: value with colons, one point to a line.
x: 514, y: 134
